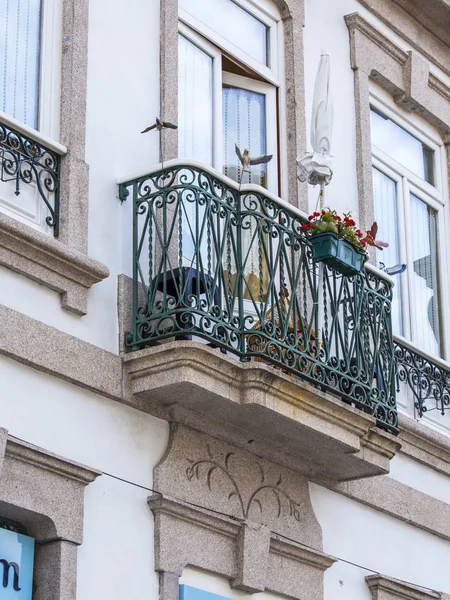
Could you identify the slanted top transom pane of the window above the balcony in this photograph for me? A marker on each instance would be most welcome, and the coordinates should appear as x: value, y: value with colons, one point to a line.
x: 233, y: 23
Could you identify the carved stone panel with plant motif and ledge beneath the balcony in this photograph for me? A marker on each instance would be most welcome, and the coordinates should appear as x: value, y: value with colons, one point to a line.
x: 222, y: 509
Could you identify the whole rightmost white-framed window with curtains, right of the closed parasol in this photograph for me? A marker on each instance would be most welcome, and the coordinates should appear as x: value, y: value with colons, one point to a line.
x: 409, y: 206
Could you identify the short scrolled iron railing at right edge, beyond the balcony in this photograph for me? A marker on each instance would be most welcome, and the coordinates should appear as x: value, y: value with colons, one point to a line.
x: 428, y: 381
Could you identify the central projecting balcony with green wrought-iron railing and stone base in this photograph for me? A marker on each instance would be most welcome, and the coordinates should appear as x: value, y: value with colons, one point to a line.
x: 229, y: 267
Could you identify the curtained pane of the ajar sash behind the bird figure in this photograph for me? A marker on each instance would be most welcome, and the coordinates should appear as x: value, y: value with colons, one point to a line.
x: 244, y: 124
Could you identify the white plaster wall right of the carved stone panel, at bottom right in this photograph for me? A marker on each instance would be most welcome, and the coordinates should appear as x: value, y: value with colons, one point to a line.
x: 361, y: 535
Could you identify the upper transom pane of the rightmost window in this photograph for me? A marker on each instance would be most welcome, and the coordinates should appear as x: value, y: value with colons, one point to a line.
x: 402, y: 146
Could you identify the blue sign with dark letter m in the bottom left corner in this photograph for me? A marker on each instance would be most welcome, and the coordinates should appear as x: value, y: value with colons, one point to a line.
x: 16, y: 565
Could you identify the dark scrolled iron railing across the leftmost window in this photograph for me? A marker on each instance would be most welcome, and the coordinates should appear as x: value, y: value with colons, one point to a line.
x: 26, y: 161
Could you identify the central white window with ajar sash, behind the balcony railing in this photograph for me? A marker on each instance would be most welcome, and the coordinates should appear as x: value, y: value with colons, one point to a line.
x: 228, y: 85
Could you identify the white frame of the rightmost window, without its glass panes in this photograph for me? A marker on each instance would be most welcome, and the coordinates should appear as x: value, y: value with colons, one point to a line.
x: 437, y: 197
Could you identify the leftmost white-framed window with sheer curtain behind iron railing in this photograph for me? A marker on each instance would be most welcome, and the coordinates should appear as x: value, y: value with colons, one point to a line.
x: 30, y: 65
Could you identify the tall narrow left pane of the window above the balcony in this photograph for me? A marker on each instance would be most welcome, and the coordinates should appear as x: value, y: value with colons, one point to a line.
x: 195, y: 74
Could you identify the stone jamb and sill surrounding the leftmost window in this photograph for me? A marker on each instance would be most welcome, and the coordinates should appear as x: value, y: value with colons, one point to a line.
x: 62, y: 264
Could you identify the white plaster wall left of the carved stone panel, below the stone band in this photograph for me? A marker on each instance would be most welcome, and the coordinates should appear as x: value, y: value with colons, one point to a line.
x: 116, y: 558
